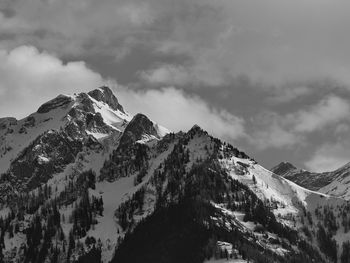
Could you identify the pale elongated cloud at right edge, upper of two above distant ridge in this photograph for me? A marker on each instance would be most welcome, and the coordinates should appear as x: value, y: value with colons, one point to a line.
x: 272, y: 130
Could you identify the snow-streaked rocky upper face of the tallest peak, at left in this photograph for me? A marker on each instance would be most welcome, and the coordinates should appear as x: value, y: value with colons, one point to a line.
x: 44, y: 143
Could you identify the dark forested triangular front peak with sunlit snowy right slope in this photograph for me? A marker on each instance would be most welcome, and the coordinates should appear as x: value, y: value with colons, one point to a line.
x: 227, y: 196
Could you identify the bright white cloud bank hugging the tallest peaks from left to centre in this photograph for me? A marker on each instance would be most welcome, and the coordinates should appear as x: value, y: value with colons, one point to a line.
x: 29, y: 77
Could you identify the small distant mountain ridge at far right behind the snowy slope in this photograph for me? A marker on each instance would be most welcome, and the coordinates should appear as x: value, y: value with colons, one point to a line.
x: 335, y: 183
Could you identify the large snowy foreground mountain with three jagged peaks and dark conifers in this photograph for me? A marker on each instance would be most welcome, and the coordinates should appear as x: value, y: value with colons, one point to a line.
x: 82, y: 180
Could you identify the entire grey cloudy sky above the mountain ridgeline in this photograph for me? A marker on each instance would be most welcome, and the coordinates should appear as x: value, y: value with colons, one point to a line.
x: 271, y: 76
